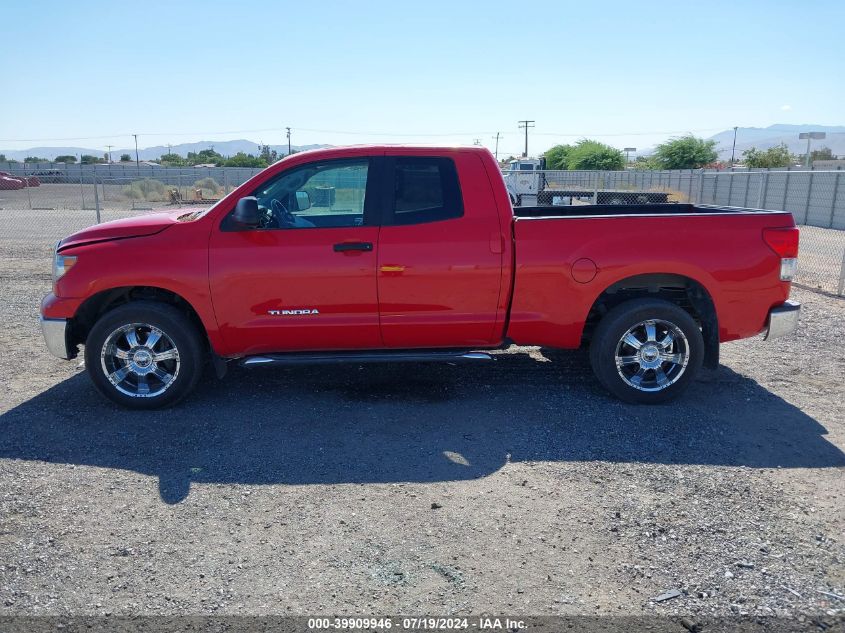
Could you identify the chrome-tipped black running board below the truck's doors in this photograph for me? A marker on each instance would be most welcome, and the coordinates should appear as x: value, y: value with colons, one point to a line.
x: 365, y: 357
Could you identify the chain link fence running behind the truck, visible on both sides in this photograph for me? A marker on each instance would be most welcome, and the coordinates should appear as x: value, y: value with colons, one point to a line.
x: 42, y: 204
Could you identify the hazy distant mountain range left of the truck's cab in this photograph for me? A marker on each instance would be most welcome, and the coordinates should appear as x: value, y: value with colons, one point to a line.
x: 226, y: 148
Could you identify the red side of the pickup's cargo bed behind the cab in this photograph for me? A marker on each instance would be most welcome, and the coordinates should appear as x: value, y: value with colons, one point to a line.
x: 721, y: 248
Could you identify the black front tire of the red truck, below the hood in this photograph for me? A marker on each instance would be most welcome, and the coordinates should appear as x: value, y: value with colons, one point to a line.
x: 176, y: 330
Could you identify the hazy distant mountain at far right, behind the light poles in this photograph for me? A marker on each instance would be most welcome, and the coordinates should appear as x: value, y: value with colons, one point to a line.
x: 766, y: 137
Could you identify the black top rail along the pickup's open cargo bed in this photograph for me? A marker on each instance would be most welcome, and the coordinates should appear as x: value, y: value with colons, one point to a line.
x: 599, y: 210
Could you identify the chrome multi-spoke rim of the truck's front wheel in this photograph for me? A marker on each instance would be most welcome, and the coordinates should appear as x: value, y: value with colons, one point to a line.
x: 140, y: 360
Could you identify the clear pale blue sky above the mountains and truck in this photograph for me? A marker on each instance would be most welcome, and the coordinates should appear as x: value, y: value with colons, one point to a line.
x: 628, y: 73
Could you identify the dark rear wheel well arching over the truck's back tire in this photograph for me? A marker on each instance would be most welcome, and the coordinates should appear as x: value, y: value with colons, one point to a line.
x: 684, y: 292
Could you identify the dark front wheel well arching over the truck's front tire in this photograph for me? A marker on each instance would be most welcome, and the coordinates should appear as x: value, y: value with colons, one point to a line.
x: 96, y: 306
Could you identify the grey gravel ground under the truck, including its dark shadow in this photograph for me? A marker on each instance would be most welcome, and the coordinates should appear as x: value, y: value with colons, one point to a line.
x: 515, y: 486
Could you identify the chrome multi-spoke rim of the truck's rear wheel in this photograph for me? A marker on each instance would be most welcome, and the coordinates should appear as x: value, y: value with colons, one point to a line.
x: 652, y: 355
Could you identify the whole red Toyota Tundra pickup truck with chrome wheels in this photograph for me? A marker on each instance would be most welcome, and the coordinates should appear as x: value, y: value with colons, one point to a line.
x: 389, y: 253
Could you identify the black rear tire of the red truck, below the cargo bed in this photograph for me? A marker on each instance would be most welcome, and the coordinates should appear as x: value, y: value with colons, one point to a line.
x: 631, y: 316
